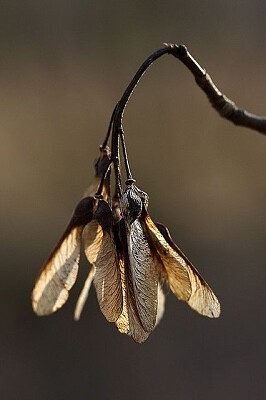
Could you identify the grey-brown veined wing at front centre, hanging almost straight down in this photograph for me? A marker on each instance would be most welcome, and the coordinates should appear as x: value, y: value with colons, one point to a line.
x: 144, y: 275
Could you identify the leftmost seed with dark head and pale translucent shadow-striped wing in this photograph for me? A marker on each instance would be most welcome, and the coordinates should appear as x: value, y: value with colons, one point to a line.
x: 60, y: 271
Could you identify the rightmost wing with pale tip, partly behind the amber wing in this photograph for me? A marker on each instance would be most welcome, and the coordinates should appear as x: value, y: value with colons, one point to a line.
x: 202, y: 298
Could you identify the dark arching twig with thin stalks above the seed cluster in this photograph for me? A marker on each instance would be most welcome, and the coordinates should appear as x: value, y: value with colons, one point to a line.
x: 222, y: 104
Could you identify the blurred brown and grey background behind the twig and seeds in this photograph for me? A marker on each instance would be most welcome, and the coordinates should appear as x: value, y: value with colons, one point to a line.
x: 64, y: 65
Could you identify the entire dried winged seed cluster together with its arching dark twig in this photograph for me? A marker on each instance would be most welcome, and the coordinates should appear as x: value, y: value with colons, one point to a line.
x: 130, y: 256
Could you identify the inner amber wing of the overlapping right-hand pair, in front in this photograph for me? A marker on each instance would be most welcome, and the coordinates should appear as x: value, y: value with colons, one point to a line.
x: 175, y: 266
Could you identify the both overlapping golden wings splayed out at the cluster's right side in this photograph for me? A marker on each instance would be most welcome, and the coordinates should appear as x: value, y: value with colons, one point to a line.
x: 184, y: 280
